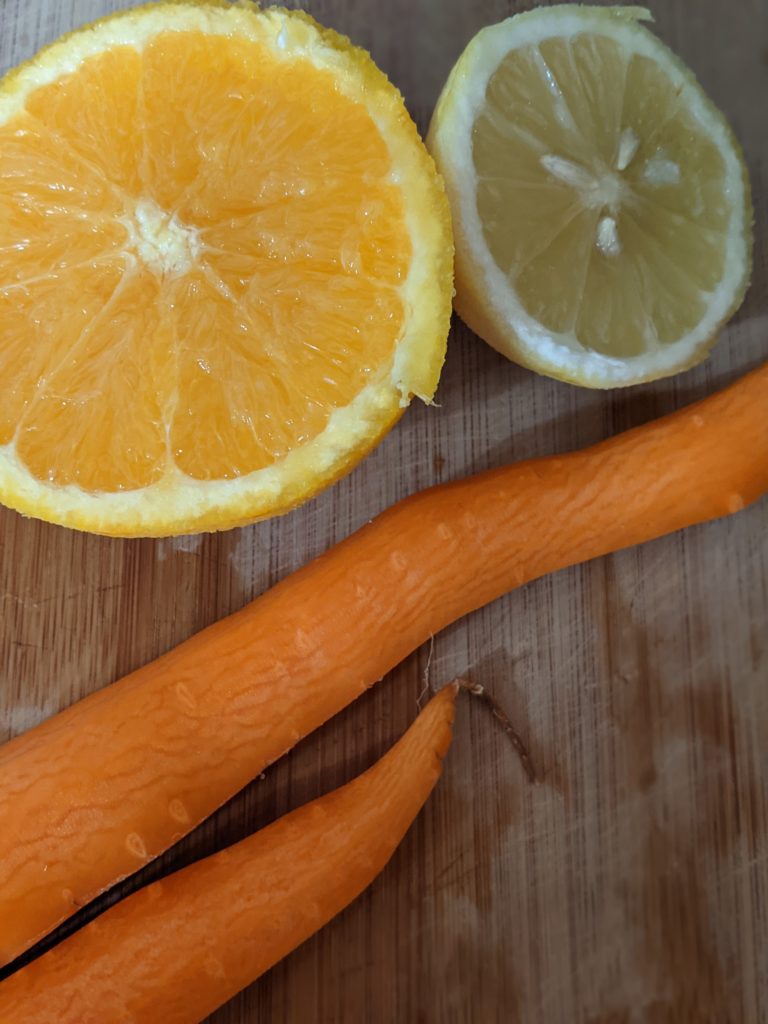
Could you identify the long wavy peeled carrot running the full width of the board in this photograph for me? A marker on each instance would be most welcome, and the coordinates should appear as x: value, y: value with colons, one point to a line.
x: 95, y: 793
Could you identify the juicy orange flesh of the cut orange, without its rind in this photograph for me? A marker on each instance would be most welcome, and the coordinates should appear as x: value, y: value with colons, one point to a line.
x: 191, y: 276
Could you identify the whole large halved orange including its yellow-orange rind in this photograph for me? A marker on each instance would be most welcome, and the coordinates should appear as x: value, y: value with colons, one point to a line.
x: 226, y: 269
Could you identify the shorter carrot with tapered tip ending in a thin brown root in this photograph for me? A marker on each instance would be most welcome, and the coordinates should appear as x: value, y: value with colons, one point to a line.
x: 180, y: 949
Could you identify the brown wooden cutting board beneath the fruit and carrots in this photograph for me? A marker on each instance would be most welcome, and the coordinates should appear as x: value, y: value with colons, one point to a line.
x: 631, y: 883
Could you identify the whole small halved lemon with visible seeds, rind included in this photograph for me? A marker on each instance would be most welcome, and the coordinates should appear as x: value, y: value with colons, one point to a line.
x: 602, y: 206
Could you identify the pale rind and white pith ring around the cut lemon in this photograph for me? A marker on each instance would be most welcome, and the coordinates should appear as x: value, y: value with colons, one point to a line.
x: 485, y: 298
